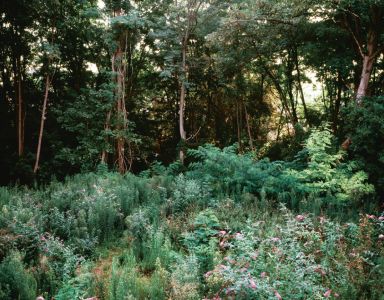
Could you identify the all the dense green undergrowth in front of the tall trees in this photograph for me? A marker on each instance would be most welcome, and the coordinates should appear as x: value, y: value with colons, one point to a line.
x: 228, y: 227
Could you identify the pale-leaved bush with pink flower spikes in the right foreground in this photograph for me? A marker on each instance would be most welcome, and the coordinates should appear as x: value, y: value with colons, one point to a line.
x: 298, y: 259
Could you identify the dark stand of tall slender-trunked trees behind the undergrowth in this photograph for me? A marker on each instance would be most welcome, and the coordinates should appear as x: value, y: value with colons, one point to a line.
x: 127, y: 83
